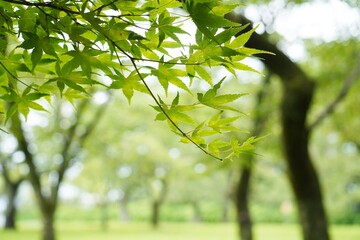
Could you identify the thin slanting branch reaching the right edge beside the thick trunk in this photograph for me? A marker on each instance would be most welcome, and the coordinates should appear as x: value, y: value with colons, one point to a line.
x: 352, y: 77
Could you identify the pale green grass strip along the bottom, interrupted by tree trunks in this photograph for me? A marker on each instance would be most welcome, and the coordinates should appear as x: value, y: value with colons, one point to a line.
x: 168, y: 231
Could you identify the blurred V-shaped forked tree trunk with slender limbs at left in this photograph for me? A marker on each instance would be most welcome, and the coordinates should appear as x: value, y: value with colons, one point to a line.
x: 47, y: 198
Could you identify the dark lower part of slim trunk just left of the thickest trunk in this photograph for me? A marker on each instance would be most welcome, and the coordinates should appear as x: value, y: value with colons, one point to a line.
x: 242, y: 197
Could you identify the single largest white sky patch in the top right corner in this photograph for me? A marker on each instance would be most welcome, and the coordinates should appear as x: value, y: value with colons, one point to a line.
x: 327, y: 20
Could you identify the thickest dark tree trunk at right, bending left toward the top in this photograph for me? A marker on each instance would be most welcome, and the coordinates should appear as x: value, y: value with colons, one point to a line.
x: 298, y: 90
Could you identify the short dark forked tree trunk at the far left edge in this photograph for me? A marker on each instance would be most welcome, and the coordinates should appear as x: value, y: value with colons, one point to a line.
x: 11, y: 209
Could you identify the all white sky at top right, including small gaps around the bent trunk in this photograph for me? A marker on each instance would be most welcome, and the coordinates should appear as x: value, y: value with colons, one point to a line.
x: 323, y: 20
